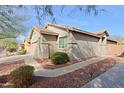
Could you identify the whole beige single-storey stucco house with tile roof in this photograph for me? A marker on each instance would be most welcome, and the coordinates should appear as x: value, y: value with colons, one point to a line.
x: 77, y: 43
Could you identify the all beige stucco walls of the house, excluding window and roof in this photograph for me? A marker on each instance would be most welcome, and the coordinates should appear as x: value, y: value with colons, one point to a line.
x: 79, y: 45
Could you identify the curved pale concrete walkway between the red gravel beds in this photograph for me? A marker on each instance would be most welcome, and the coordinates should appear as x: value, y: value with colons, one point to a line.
x: 67, y: 69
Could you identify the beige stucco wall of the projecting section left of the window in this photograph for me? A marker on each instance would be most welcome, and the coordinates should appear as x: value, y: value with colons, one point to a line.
x: 42, y: 45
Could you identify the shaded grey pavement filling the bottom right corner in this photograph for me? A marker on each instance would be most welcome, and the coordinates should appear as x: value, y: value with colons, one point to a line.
x: 113, y: 78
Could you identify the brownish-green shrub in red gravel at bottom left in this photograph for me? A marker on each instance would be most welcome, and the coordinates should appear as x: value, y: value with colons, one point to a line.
x: 22, y: 76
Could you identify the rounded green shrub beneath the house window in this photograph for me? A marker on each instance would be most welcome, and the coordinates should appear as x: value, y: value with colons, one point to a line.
x: 59, y: 58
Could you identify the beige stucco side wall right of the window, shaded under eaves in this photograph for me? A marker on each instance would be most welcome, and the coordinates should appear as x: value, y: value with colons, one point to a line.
x: 83, y: 46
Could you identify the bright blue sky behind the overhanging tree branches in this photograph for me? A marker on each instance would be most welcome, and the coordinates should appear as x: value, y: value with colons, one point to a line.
x: 112, y: 19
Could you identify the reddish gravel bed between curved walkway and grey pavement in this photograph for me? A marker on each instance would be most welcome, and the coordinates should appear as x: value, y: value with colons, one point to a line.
x: 73, y: 79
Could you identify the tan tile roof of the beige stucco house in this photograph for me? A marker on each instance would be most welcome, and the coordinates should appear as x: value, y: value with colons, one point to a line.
x: 43, y: 30
